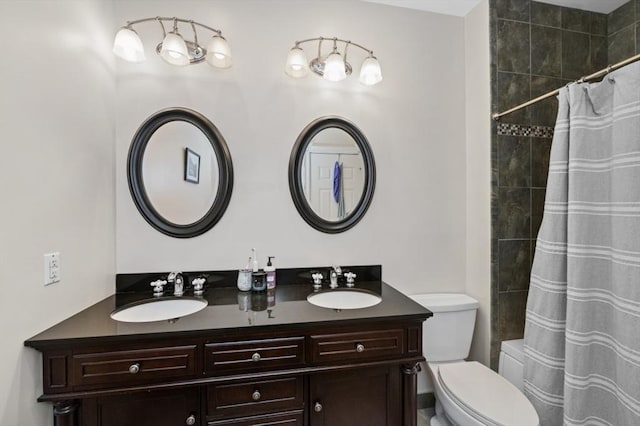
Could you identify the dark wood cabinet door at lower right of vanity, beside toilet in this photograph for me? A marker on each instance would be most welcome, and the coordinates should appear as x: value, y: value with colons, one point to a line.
x: 371, y: 397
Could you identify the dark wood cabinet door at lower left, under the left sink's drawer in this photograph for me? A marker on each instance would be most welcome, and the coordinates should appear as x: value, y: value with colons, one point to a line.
x: 159, y: 408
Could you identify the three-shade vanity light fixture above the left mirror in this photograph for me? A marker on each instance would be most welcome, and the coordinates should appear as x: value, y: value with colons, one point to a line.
x: 174, y: 48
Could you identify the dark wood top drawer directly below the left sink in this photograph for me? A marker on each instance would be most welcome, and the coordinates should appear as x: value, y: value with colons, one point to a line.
x: 133, y: 366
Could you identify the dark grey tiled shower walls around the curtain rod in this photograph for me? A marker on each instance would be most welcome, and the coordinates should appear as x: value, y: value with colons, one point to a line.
x: 535, y: 48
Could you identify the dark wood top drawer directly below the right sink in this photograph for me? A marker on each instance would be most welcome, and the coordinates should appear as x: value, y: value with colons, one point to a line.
x: 360, y: 345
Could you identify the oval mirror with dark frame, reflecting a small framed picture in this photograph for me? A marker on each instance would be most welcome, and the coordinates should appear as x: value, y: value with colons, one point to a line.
x: 180, y: 172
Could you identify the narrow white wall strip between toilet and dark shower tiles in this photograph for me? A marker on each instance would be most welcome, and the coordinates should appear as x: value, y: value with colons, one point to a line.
x: 478, y: 170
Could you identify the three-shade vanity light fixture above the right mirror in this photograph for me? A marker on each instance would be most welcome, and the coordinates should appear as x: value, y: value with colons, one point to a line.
x: 332, y: 66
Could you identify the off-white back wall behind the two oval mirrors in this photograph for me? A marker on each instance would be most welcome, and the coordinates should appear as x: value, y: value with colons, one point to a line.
x: 414, y: 121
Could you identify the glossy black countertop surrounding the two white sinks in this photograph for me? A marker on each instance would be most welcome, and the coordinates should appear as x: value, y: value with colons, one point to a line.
x: 228, y: 311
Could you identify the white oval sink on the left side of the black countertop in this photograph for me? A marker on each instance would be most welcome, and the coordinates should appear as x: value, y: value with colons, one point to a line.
x: 159, y: 309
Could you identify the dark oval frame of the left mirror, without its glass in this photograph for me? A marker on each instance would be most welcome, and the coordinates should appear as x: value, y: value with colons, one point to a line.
x: 136, y: 182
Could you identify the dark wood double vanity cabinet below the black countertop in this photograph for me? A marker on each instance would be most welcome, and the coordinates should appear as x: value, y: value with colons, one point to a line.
x: 327, y: 374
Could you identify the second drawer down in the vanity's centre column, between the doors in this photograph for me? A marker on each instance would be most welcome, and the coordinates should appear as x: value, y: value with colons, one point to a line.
x: 256, y: 396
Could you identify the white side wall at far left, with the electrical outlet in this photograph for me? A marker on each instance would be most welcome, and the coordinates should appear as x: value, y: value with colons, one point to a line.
x: 57, y: 172
